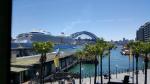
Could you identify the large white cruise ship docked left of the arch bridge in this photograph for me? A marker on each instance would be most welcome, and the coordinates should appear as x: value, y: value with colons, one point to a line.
x: 38, y: 36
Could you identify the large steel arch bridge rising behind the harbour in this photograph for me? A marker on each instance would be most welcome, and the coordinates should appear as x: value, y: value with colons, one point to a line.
x: 93, y: 36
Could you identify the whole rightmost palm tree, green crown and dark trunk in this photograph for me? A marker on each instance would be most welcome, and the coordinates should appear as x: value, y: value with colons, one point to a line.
x: 146, y: 51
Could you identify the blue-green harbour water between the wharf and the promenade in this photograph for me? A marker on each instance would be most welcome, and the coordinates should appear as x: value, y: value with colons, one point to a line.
x: 117, y: 60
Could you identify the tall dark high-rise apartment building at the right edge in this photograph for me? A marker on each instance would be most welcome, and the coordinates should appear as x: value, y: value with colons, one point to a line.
x: 143, y: 34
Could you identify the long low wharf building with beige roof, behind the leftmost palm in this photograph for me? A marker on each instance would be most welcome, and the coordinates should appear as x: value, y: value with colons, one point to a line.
x: 25, y: 68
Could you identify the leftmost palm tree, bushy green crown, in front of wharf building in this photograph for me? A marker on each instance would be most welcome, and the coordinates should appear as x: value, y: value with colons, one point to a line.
x: 42, y: 48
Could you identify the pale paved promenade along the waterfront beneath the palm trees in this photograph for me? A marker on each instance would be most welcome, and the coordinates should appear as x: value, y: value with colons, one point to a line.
x: 119, y: 78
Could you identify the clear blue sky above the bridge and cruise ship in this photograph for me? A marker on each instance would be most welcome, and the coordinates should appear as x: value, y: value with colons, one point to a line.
x: 110, y: 19
